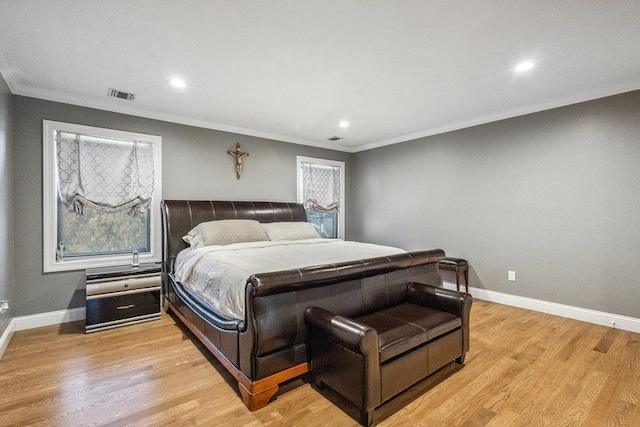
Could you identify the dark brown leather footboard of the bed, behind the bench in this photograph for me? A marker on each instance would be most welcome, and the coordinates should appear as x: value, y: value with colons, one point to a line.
x: 275, y: 335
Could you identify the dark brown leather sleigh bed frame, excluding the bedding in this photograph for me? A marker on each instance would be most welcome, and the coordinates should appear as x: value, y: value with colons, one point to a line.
x: 265, y: 344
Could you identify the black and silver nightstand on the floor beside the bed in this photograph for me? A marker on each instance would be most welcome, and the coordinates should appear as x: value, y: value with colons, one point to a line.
x: 122, y: 295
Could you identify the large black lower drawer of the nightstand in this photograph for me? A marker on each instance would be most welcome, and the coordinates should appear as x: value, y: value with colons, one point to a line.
x: 123, y: 308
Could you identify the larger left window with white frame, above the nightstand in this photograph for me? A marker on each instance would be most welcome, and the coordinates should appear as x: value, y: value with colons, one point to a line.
x: 101, y: 199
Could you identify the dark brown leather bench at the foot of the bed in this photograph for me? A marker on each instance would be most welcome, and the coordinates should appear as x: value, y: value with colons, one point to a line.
x: 371, y: 357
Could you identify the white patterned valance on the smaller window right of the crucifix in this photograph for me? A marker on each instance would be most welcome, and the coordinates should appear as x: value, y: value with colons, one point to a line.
x: 321, y: 187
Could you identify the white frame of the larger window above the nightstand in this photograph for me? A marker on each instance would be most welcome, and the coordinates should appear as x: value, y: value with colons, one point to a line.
x: 50, y: 200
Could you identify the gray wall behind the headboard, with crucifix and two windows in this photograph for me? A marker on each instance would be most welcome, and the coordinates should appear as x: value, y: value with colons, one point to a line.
x: 195, y: 165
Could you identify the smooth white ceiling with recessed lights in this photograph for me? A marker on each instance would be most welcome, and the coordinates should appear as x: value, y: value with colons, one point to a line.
x: 292, y: 70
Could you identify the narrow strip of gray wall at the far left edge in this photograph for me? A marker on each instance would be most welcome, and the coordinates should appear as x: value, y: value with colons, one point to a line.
x: 6, y: 202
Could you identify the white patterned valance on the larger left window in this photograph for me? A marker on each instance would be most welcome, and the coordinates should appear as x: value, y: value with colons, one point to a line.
x: 107, y: 174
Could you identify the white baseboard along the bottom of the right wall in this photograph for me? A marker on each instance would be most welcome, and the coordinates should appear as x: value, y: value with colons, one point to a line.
x: 577, y: 313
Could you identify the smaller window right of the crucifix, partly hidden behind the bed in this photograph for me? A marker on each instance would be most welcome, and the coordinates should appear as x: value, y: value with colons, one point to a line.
x: 321, y: 190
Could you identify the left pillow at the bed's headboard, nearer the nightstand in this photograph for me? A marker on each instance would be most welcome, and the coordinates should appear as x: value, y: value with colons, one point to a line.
x: 225, y: 232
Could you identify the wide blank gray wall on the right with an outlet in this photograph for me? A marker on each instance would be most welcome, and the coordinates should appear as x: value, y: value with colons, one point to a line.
x: 554, y: 196
